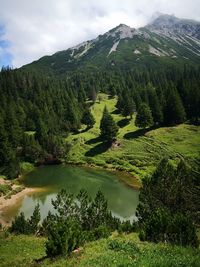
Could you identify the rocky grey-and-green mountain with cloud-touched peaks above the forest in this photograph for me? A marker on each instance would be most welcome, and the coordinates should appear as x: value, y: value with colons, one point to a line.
x: 166, y: 40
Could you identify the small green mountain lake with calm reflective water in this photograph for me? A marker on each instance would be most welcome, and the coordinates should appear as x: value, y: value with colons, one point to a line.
x: 122, y: 200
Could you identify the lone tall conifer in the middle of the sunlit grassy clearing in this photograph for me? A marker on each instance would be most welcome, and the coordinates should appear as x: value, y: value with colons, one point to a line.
x: 108, y: 127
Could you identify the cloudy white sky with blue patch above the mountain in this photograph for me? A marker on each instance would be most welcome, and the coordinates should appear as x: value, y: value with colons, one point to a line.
x: 30, y: 29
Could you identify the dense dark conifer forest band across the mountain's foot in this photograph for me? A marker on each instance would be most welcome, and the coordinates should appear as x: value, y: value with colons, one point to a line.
x: 37, y: 112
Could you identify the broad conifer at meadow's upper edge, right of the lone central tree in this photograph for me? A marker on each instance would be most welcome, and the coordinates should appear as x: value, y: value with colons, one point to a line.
x: 144, y: 117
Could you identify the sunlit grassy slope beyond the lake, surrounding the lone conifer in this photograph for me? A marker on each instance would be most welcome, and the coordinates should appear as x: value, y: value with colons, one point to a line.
x: 139, y: 152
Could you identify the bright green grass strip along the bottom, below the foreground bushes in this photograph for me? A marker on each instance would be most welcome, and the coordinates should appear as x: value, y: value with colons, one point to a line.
x: 118, y: 250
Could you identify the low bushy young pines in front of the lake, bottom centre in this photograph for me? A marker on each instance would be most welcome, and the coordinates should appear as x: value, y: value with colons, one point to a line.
x: 78, y: 220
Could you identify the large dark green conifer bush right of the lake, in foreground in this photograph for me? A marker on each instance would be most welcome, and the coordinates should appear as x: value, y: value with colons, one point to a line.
x: 167, y: 207
